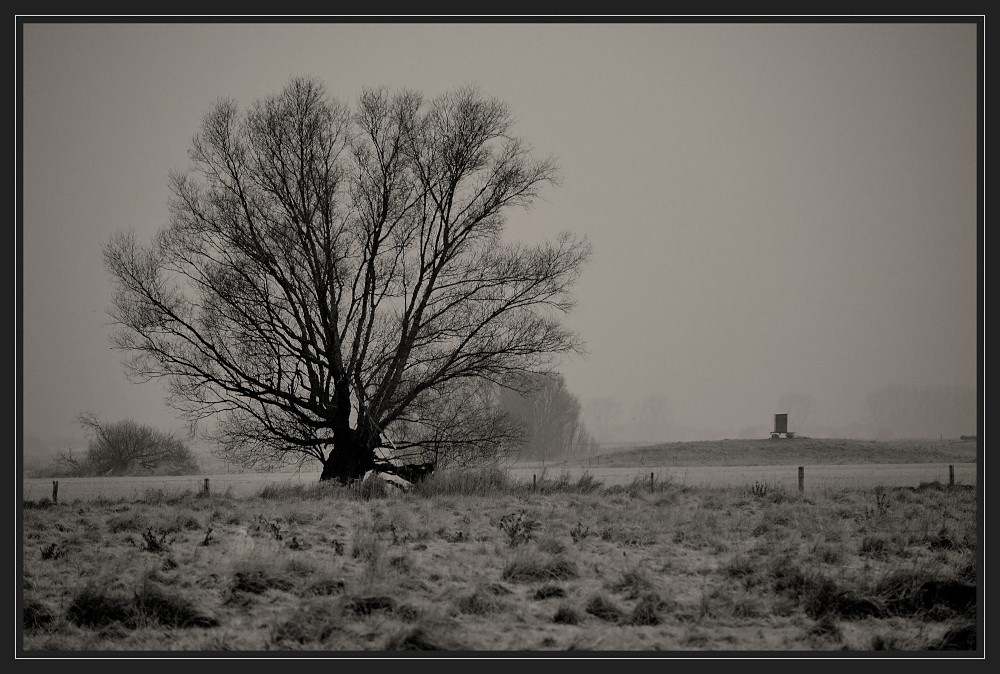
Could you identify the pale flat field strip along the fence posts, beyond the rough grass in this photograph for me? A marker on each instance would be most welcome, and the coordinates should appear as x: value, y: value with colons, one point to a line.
x: 813, y: 478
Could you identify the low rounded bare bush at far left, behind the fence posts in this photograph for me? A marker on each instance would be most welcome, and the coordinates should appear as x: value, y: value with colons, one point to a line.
x: 129, y: 448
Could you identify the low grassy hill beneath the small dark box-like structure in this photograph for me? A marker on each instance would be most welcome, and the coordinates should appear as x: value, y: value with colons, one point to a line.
x: 764, y: 452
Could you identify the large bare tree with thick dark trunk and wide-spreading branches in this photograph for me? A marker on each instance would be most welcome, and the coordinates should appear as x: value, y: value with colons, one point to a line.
x: 329, y: 274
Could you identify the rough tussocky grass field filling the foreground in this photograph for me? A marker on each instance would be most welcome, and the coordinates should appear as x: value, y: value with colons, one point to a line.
x: 479, y: 562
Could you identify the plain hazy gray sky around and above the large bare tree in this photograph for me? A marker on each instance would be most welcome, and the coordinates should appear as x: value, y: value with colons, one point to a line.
x: 774, y: 208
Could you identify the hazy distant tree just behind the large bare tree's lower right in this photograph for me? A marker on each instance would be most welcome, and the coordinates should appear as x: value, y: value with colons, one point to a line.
x: 550, y: 418
